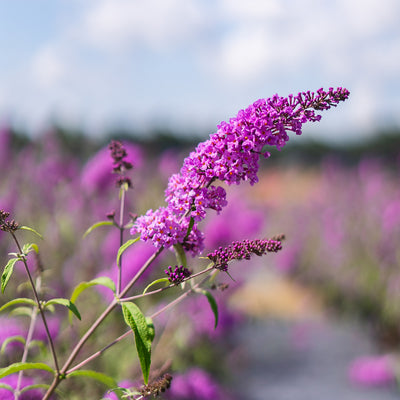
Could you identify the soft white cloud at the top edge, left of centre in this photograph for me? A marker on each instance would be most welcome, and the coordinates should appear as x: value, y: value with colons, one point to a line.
x: 120, y: 24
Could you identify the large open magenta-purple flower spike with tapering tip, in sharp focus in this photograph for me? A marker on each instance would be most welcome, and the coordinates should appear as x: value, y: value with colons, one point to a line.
x: 230, y: 155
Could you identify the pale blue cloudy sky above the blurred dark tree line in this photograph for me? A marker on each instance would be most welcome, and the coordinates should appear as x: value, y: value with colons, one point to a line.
x: 188, y: 64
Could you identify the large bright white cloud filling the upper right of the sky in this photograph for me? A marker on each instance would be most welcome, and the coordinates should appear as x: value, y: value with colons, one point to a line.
x: 327, y: 39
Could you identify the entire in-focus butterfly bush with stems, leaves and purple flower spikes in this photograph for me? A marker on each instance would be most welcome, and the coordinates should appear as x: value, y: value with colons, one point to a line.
x: 231, y: 155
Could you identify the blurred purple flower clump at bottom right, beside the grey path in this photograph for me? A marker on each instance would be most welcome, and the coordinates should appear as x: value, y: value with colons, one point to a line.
x: 372, y: 371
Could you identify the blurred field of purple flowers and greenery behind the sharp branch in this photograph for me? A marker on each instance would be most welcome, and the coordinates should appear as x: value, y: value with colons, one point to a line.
x: 339, y: 211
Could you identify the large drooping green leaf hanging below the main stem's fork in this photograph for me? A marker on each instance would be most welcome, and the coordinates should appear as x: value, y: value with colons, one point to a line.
x: 143, y: 336
